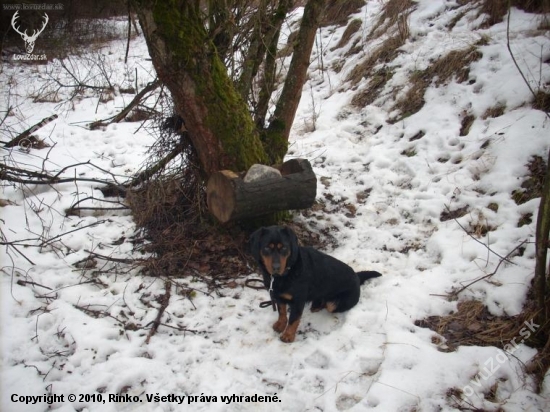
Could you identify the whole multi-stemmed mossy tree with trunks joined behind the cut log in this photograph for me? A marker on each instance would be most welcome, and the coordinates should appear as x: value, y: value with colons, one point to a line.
x: 187, y: 61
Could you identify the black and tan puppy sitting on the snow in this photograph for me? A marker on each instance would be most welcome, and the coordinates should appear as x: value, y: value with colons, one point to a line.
x: 296, y: 275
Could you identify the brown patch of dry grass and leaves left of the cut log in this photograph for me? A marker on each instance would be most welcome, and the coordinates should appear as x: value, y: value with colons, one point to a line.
x: 181, y: 240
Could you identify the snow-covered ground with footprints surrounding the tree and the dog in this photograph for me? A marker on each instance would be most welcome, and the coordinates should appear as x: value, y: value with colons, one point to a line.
x: 382, y: 195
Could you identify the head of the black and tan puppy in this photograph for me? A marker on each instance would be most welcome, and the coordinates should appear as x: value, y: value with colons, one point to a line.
x: 275, y: 248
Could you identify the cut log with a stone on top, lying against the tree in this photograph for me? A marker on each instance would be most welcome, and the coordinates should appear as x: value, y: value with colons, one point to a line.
x: 230, y: 198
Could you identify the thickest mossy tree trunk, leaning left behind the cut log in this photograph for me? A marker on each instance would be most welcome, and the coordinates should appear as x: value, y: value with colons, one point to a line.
x: 186, y: 60
